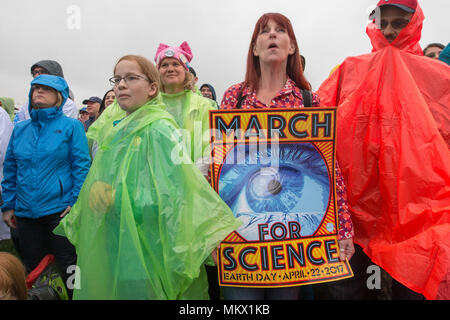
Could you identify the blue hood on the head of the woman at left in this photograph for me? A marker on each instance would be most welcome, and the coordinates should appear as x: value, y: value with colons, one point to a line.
x: 55, y: 82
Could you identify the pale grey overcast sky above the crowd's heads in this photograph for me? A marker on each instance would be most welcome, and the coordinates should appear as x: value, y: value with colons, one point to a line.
x: 88, y: 37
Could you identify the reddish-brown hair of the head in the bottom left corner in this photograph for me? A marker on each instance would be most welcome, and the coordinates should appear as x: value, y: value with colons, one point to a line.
x: 12, y: 278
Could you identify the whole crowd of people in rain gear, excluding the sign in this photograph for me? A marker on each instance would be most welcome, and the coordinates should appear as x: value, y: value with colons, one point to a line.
x: 99, y: 188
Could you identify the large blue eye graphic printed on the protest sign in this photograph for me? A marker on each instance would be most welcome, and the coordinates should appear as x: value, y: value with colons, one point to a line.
x: 296, y: 189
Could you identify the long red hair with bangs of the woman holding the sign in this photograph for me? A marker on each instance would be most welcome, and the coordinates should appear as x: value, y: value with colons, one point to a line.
x: 294, y: 64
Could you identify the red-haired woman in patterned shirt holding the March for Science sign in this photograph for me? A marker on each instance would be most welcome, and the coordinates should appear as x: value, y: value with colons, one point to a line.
x: 274, y: 79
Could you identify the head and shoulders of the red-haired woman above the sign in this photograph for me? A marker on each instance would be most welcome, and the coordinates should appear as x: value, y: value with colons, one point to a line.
x: 274, y: 69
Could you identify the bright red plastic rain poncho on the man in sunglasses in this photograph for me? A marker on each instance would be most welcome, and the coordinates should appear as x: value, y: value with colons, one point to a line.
x: 393, y: 125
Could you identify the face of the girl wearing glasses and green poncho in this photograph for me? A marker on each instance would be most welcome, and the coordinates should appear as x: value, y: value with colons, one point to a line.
x: 135, y: 89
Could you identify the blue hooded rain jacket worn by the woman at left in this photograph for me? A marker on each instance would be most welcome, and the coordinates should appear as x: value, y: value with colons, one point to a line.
x: 47, y: 159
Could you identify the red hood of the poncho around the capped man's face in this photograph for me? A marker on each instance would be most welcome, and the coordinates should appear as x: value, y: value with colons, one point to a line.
x: 407, y: 40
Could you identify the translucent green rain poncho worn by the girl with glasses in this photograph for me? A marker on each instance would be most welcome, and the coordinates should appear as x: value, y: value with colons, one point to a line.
x: 143, y: 226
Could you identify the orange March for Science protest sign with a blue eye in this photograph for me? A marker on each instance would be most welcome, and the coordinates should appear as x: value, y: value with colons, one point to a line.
x: 276, y: 170
